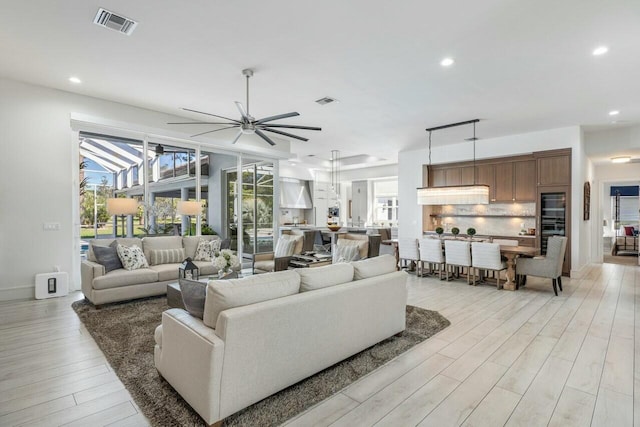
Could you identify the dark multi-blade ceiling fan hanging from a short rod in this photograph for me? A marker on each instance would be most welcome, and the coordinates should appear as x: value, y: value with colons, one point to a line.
x: 248, y: 124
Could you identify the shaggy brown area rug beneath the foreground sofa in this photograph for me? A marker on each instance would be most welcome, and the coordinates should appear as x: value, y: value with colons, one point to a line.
x: 124, y: 332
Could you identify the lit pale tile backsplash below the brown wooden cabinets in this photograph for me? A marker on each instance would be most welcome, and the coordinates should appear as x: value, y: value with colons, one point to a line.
x: 494, y: 219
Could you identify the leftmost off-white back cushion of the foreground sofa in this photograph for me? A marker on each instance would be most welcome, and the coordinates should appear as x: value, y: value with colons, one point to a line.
x: 226, y: 294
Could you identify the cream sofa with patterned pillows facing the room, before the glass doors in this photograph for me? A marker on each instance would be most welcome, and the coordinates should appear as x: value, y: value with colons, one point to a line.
x: 121, y: 285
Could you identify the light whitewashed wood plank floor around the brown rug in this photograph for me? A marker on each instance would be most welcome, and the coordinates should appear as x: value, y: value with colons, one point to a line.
x: 508, y: 358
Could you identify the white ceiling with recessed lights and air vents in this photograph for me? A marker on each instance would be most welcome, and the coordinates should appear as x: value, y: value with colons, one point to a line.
x: 520, y: 66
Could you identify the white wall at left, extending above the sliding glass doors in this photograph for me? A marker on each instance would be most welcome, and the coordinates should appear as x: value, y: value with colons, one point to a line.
x: 36, y: 183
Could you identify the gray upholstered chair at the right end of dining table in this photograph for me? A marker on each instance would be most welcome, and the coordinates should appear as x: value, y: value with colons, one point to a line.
x: 549, y: 266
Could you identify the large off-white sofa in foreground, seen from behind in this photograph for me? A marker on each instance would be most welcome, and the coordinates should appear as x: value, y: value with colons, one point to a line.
x: 258, y: 349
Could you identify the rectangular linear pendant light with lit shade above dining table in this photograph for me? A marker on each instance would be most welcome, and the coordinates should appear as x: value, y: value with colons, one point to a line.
x: 459, y: 194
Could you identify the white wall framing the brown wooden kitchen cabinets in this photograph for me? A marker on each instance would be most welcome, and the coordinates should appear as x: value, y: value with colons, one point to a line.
x: 410, y: 165
